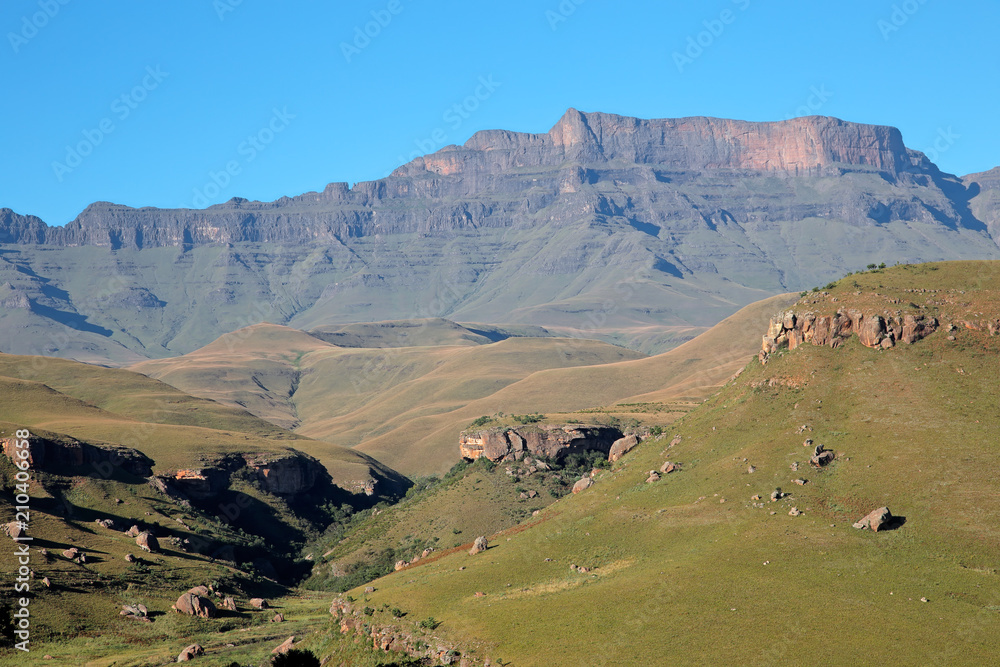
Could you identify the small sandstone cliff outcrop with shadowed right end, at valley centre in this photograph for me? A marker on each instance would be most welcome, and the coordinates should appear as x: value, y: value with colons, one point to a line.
x: 549, y: 440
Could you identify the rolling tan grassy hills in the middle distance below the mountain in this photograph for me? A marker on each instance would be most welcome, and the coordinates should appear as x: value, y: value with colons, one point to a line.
x: 406, y: 406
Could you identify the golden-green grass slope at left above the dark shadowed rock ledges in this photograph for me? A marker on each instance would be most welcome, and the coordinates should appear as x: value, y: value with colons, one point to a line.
x: 176, y: 430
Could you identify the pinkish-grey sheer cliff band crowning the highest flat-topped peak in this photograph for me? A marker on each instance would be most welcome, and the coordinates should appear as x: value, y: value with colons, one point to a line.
x: 812, y: 145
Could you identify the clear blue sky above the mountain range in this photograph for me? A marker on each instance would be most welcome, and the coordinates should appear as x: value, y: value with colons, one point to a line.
x: 191, y: 102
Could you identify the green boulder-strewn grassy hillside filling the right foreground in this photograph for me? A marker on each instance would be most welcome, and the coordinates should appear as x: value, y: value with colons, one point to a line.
x: 693, y: 570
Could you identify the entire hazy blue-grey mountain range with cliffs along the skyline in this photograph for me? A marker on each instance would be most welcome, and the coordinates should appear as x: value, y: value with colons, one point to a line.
x: 605, y: 224
